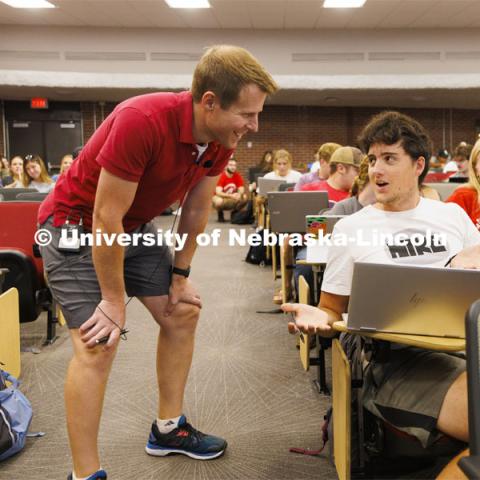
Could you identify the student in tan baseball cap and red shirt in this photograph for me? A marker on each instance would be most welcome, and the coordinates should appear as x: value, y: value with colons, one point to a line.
x: 344, y: 166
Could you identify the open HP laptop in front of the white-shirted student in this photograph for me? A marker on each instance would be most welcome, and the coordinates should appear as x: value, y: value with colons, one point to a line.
x: 411, y: 299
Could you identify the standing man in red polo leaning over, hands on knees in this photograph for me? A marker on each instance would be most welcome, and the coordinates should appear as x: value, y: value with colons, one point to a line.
x: 150, y: 152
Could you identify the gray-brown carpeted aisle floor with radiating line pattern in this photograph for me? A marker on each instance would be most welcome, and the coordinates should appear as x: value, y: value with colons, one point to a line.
x: 246, y: 384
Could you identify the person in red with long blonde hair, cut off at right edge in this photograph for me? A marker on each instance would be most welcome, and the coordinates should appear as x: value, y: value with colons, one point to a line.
x: 468, y: 196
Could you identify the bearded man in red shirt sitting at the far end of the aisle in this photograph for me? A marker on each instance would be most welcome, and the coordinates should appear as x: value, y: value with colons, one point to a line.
x: 230, y: 190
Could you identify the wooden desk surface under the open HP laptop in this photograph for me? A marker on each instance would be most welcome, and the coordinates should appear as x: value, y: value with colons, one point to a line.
x: 421, y: 341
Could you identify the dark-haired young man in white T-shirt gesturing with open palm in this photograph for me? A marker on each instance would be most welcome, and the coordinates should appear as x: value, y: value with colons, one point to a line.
x: 420, y: 392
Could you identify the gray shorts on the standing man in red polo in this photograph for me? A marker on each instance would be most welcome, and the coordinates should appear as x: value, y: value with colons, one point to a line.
x: 73, y: 280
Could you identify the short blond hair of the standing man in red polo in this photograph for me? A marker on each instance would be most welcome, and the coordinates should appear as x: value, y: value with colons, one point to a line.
x: 225, y: 70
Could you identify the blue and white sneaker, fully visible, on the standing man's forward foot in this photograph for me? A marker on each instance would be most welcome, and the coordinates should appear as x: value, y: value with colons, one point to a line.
x: 185, y: 440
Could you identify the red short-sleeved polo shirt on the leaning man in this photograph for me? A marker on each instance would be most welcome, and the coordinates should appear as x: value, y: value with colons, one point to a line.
x: 147, y: 139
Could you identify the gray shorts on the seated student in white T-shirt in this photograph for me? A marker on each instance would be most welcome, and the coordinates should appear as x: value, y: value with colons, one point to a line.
x: 408, y: 390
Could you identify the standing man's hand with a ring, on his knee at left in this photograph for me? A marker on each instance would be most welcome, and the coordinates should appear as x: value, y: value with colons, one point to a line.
x: 106, y: 322
